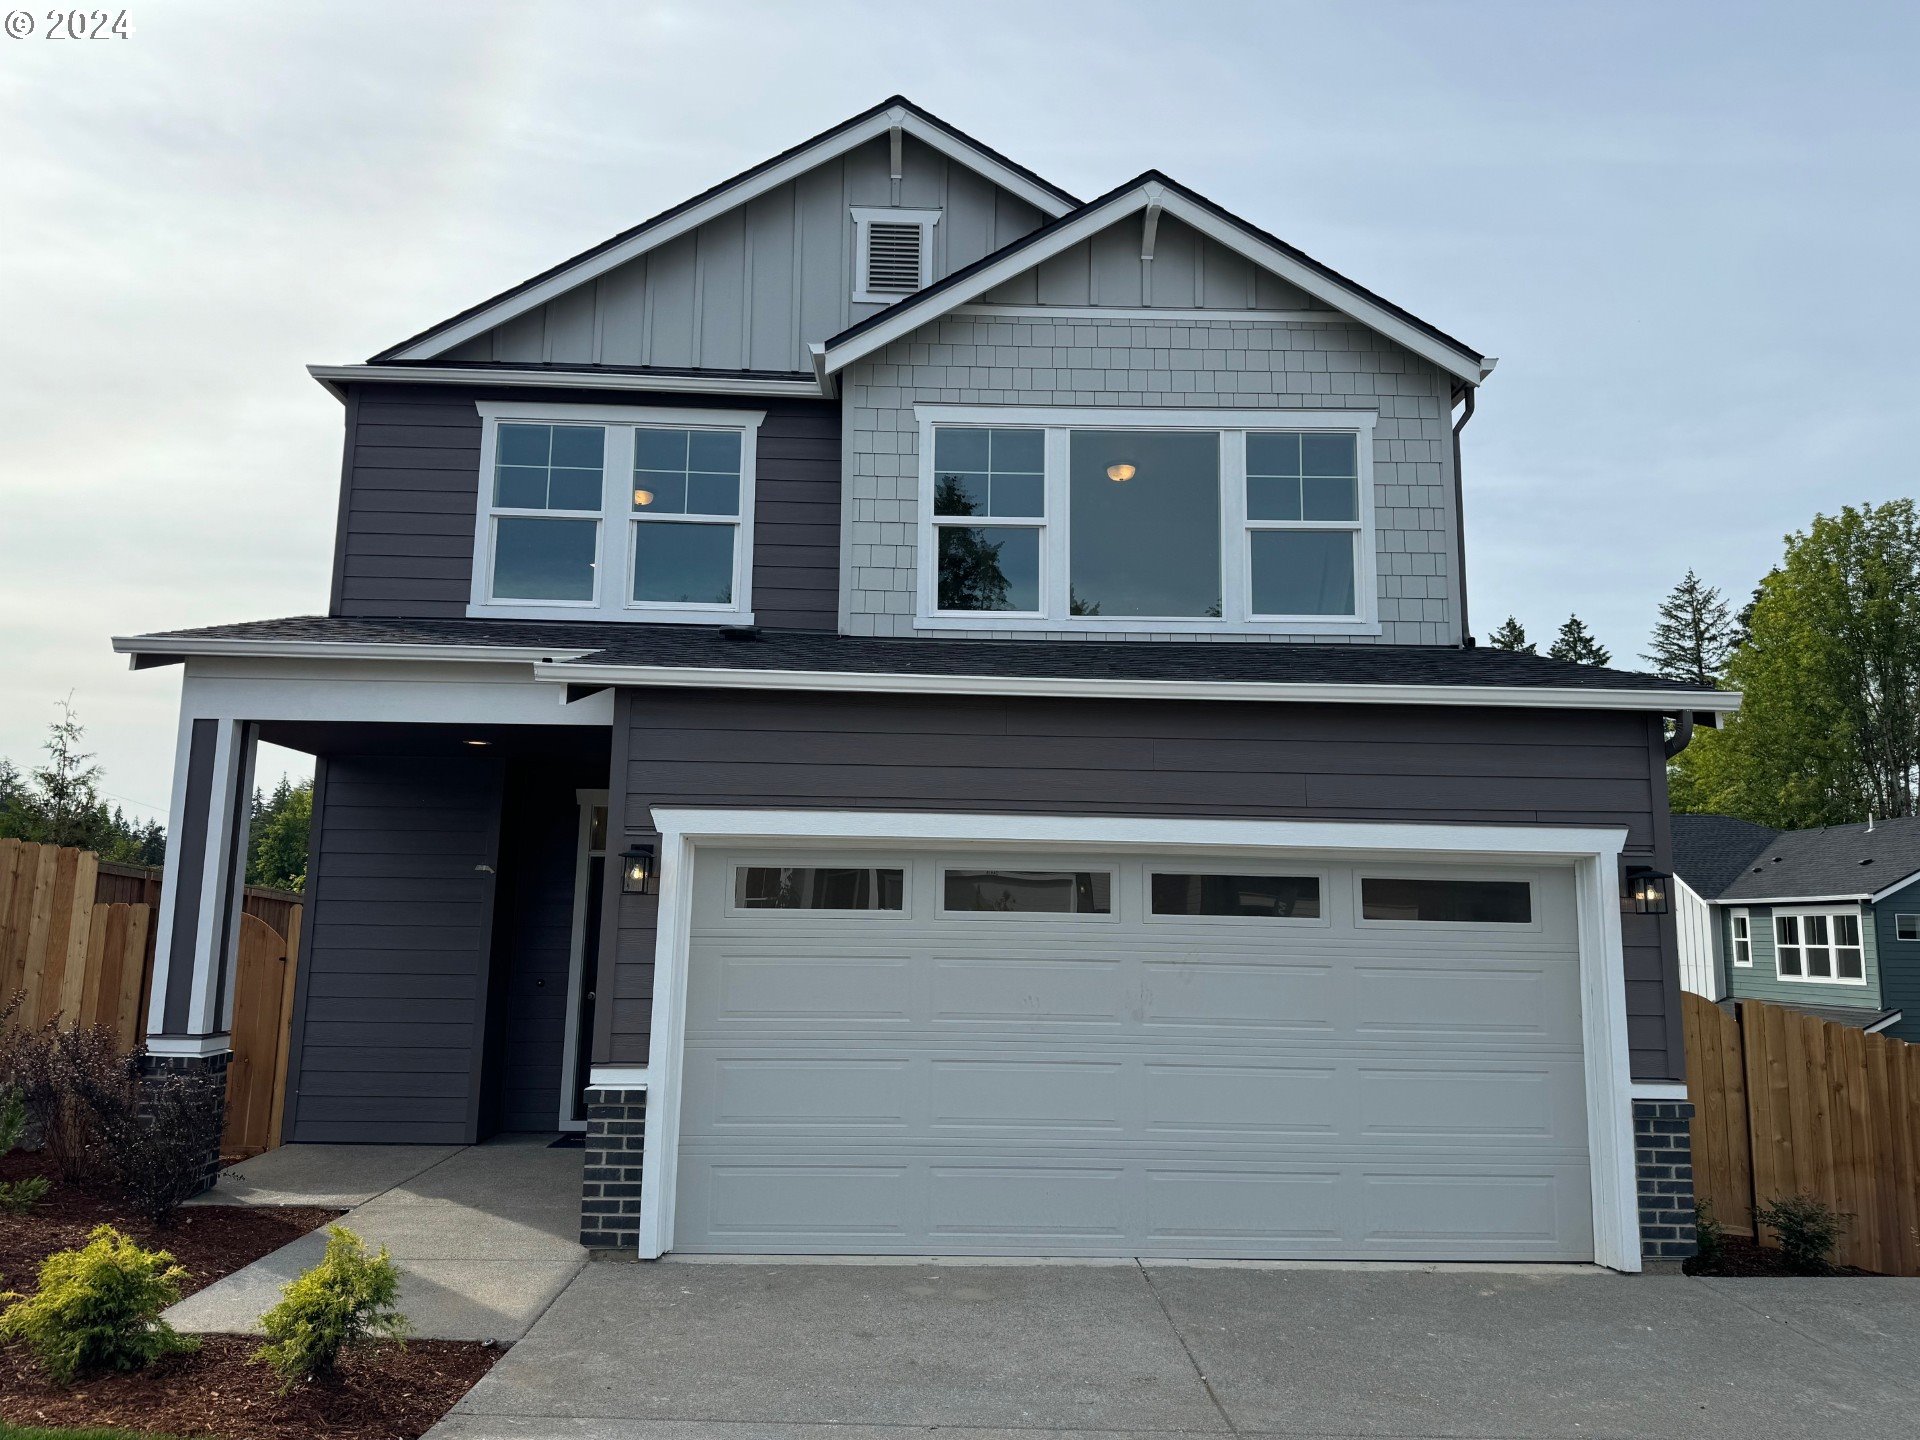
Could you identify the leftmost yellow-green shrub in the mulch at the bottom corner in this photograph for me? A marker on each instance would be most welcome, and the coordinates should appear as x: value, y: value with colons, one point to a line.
x: 99, y: 1308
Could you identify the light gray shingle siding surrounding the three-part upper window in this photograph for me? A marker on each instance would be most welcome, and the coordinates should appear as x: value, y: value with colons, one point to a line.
x: 1226, y: 364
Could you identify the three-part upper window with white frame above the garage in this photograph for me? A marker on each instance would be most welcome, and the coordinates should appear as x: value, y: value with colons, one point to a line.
x: 1145, y: 521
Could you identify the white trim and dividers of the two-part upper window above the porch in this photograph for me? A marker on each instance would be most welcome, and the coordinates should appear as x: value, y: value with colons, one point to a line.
x: 617, y: 523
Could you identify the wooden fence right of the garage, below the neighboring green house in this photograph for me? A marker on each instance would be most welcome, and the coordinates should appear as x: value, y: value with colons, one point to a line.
x: 1790, y: 1105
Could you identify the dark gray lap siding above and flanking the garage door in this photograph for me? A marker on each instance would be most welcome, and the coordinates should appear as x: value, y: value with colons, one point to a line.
x: 786, y: 750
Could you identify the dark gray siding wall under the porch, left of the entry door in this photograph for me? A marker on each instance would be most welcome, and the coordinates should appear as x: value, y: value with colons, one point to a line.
x: 393, y: 990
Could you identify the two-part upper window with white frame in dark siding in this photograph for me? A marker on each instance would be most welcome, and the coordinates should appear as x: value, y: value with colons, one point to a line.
x: 610, y: 512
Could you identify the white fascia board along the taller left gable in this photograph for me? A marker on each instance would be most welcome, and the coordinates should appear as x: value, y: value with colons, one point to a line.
x: 734, y: 197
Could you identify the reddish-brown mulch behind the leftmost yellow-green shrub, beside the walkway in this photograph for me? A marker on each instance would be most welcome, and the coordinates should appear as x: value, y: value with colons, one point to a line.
x: 208, y: 1241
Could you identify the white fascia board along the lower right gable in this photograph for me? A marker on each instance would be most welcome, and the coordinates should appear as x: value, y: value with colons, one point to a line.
x: 913, y: 316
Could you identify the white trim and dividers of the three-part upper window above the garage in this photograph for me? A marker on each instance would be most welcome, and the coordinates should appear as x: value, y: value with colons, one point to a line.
x: 1236, y: 527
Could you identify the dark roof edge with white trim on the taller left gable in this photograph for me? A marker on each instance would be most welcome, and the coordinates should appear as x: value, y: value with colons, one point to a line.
x: 731, y: 195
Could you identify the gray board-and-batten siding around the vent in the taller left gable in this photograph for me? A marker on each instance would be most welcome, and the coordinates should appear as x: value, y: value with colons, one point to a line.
x: 752, y: 289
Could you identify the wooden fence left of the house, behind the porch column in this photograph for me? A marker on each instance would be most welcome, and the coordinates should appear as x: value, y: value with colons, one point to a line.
x: 78, y: 946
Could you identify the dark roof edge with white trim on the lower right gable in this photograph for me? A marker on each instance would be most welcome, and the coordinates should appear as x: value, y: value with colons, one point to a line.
x: 1157, y: 191
